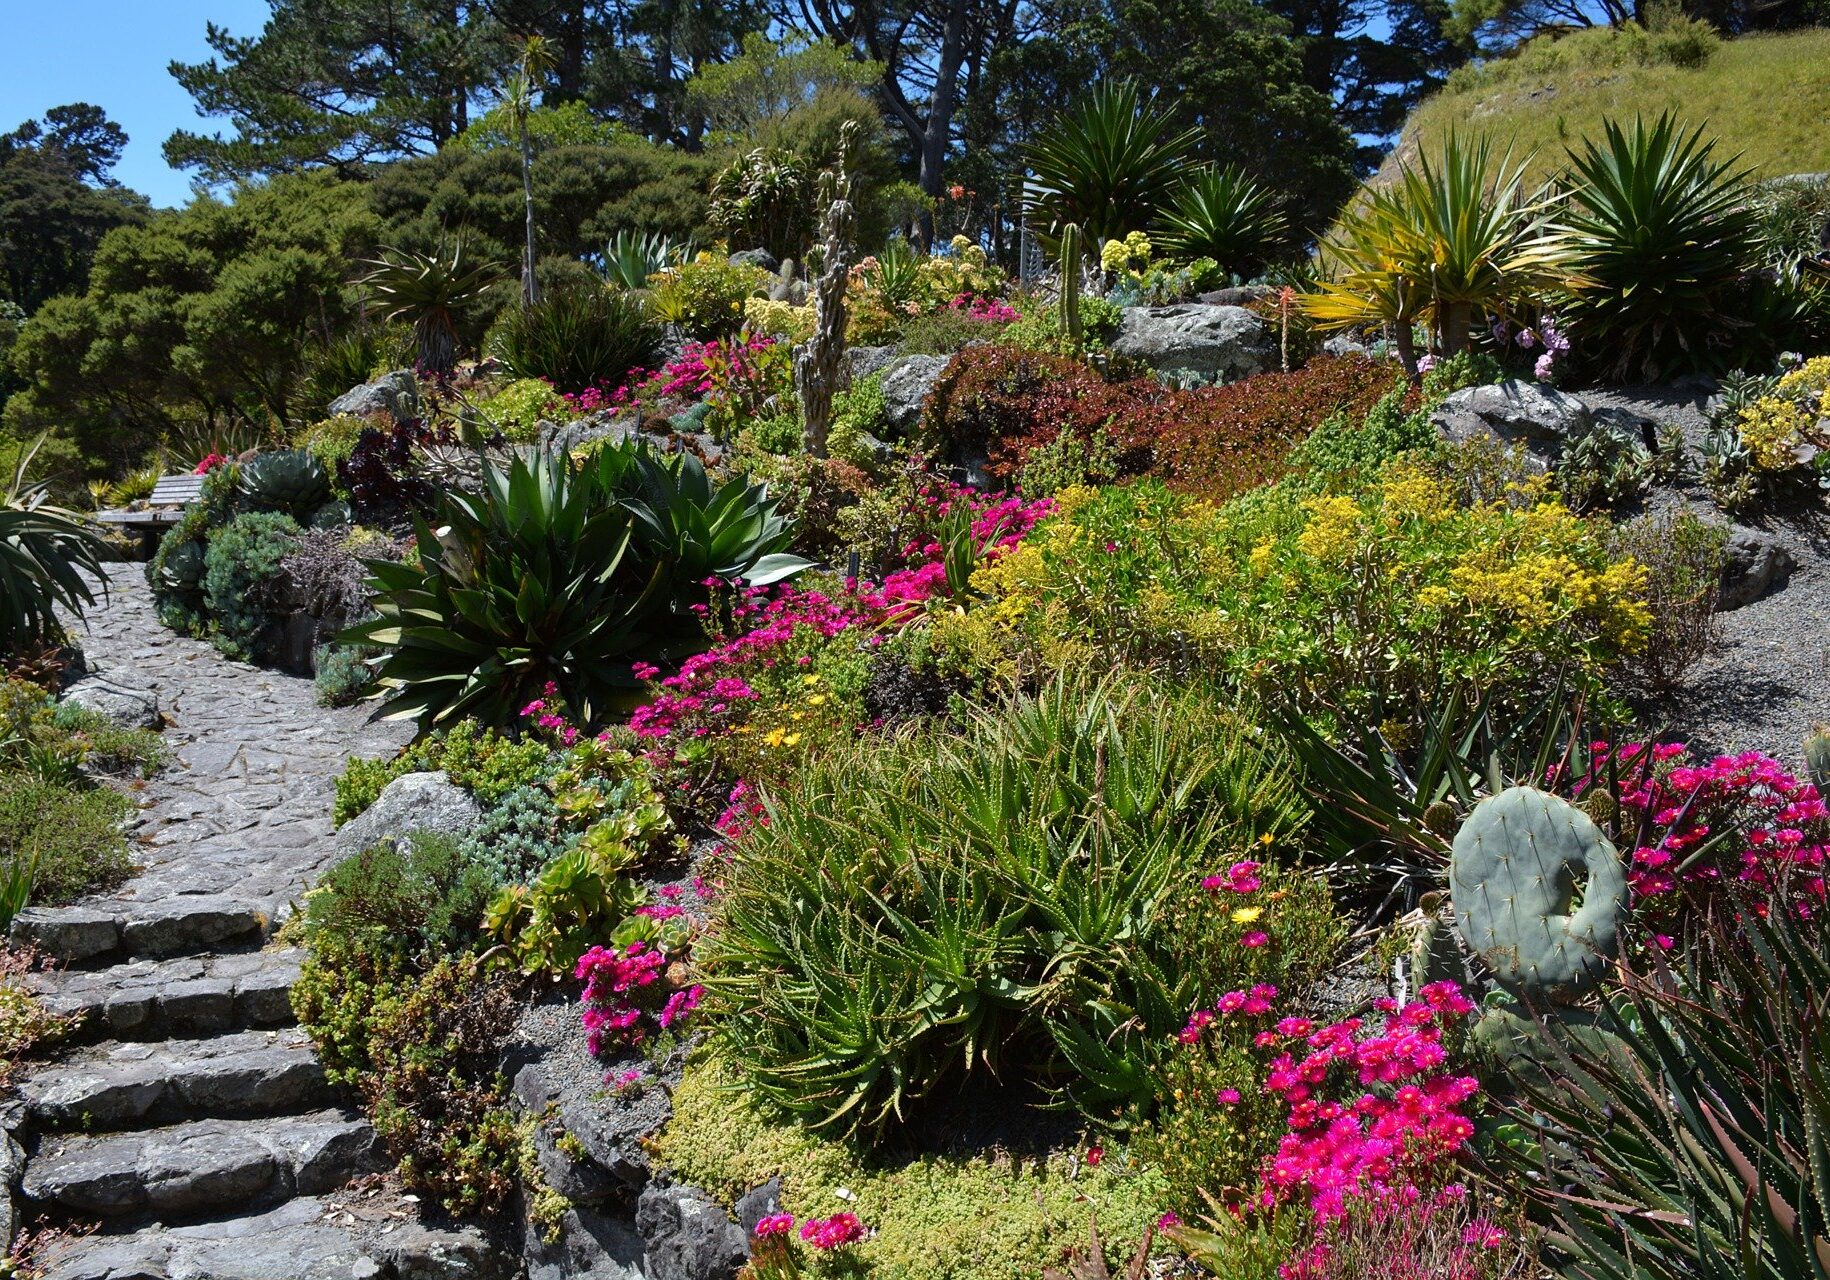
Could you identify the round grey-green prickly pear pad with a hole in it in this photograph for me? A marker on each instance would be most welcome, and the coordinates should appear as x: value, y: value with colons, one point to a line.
x: 1514, y: 876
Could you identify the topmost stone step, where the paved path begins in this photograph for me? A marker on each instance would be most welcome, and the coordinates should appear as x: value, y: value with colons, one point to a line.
x: 184, y: 926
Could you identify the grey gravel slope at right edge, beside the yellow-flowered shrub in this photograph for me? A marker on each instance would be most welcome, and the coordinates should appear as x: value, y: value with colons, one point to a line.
x: 1769, y: 675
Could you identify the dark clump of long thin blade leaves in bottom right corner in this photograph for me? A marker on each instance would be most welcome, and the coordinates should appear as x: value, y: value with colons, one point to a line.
x: 1697, y: 1147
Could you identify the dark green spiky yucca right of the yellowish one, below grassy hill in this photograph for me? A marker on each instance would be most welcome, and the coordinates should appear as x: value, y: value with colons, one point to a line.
x: 1661, y: 235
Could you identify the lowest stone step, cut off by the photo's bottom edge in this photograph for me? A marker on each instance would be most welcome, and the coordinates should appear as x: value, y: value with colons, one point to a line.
x: 307, y: 1239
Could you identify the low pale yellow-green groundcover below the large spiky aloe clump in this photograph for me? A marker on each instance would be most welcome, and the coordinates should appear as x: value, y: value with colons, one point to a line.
x: 989, y: 1217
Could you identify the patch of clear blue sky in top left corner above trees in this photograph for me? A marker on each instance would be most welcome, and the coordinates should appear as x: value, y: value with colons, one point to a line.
x: 114, y: 54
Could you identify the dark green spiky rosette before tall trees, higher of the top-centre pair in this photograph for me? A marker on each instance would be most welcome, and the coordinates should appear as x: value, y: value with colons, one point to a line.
x: 1108, y: 166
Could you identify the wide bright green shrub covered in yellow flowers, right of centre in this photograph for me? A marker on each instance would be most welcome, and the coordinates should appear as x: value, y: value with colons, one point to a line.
x: 1362, y: 602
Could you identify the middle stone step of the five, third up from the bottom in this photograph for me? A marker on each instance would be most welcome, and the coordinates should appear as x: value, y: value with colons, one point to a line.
x: 113, y: 1087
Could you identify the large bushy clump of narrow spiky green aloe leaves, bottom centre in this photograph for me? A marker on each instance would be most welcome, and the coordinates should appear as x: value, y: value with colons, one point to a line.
x: 1017, y: 900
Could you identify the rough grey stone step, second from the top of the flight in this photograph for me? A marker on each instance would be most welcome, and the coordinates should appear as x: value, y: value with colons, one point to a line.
x: 184, y: 997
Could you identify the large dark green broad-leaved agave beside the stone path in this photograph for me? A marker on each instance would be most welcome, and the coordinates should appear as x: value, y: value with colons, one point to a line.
x: 559, y: 572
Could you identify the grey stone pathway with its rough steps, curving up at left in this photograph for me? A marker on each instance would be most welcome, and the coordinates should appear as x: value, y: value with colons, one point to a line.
x: 191, y: 1120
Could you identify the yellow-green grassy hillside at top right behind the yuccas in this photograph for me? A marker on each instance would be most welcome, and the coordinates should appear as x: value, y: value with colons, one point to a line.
x: 1765, y: 96
